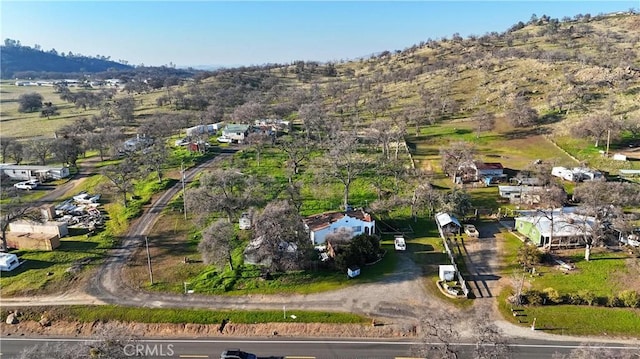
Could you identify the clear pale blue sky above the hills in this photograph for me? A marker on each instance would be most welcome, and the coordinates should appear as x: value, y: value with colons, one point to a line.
x: 253, y: 33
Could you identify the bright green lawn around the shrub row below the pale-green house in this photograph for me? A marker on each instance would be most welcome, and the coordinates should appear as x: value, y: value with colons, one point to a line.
x: 604, y: 275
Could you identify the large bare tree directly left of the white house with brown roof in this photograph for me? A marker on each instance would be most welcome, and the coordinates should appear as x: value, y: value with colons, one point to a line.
x: 284, y: 239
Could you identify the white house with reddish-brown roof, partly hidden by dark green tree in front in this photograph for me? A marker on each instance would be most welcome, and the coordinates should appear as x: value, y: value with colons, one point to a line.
x: 356, y: 221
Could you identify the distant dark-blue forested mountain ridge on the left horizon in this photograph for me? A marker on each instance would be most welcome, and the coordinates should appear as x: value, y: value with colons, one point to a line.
x: 18, y: 61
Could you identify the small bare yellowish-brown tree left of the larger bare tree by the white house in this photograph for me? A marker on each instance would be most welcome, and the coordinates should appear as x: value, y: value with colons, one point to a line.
x: 217, y: 243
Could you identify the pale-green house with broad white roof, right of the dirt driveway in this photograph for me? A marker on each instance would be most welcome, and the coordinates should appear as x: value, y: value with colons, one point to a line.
x: 557, y: 228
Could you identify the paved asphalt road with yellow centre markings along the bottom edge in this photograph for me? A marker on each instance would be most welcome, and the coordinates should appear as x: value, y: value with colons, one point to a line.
x: 300, y: 348
